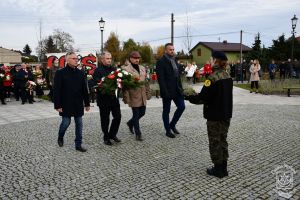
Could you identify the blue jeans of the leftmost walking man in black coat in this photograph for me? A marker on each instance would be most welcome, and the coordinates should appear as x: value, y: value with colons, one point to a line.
x: 78, y: 129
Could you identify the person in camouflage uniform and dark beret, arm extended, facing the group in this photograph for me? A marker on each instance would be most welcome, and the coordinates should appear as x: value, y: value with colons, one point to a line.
x: 216, y: 95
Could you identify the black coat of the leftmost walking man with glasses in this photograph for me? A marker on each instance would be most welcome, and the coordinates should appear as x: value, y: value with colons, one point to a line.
x: 70, y: 92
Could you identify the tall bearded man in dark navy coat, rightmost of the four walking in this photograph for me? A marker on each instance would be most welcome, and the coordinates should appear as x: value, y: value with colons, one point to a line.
x: 168, y: 74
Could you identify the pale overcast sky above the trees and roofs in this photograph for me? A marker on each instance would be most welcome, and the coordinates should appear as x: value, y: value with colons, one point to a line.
x: 146, y: 20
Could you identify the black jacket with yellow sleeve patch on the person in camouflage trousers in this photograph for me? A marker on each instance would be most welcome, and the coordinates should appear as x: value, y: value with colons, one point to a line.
x: 216, y: 95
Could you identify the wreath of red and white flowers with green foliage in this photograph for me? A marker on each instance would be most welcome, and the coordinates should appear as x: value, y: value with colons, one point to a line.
x: 118, y: 79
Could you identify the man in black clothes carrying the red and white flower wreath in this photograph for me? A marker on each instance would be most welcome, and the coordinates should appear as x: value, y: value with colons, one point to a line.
x: 108, y: 103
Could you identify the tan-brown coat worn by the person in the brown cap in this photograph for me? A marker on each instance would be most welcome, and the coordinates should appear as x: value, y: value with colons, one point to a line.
x: 136, y: 97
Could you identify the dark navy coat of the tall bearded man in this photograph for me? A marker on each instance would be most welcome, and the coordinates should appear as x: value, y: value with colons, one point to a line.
x: 170, y: 86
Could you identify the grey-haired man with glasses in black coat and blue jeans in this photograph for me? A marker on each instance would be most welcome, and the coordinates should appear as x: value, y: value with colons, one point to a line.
x: 70, y: 93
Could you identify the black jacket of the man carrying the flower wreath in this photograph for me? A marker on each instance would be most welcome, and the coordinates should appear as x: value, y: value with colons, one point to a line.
x: 104, y: 99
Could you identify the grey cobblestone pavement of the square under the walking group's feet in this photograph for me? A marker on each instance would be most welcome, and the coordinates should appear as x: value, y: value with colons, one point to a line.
x: 261, y: 137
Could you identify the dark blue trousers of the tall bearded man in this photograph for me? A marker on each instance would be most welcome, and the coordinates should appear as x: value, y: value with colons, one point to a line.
x: 179, y: 102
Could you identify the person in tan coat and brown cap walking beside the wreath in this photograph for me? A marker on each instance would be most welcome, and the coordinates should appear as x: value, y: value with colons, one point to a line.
x: 136, y: 98
